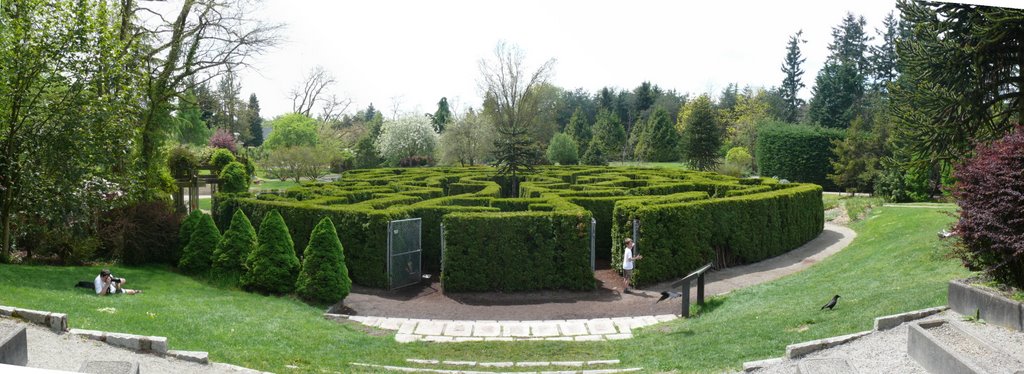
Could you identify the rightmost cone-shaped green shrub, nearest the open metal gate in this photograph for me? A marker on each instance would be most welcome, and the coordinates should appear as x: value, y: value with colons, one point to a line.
x: 324, y: 277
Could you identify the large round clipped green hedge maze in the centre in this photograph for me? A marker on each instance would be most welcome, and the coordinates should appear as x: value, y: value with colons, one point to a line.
x: 542, y: 239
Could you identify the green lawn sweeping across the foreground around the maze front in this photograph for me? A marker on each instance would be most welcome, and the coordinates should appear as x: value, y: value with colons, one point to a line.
x: 895, y: 265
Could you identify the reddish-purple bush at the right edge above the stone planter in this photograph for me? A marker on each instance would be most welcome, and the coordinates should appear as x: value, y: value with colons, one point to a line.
x: 991, y: 194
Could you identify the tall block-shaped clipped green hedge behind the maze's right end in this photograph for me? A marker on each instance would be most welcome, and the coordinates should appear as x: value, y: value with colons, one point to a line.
x: 798, y: 153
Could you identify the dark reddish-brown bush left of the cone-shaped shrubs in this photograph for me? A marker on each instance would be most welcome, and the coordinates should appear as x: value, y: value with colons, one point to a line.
x: 144, y: 233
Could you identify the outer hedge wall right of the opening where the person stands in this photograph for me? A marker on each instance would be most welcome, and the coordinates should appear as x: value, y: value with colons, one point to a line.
x: 682, y: 237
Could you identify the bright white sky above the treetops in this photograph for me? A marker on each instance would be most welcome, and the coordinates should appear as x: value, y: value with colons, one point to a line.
x: 404, y: 57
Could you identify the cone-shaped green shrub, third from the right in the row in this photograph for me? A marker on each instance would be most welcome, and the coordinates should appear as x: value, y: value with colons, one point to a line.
x: 239, y: 241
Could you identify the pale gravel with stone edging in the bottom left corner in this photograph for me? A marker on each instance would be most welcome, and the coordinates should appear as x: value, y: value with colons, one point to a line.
x: 65, y: 352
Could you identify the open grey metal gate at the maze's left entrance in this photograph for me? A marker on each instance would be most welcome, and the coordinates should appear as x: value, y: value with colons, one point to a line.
x: 405, y: 267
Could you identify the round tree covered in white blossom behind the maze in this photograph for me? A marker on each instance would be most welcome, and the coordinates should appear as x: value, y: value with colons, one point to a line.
x: 409, y: 136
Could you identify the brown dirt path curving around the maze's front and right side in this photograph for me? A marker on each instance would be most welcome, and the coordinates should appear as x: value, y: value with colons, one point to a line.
x: 428, y: 302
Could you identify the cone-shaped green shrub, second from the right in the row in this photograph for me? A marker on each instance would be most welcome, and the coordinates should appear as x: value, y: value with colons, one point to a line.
x: 273, y: 267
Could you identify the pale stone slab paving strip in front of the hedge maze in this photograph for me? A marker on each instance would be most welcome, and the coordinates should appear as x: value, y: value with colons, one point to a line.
x: 409, y: 330
